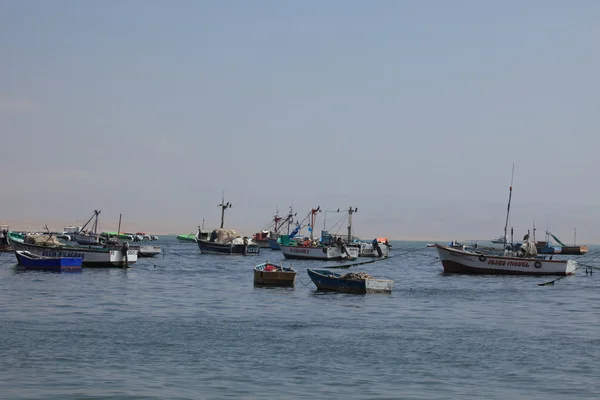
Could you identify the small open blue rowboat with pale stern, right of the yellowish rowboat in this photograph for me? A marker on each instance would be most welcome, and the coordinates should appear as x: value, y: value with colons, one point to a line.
x: 354, y: 282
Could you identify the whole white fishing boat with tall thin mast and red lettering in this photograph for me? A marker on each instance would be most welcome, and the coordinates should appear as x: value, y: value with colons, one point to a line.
x: 511, y: 259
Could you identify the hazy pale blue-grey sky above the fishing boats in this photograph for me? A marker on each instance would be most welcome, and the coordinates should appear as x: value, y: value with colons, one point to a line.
x: 412, y: 111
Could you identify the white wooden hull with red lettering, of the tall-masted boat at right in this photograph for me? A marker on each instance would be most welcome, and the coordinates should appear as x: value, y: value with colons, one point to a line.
x: 459, y: 261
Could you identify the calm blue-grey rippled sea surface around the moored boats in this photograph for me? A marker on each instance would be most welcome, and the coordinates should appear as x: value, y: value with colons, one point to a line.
x: 193, y: 326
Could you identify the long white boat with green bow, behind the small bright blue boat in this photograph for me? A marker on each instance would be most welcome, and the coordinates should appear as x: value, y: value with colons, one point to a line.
x: 92, y: 256
